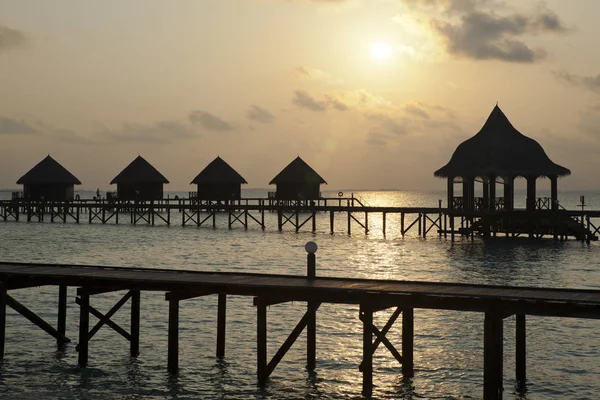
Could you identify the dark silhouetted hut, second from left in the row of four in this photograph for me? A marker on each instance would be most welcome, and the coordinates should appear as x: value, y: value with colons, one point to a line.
x: 139, y: 181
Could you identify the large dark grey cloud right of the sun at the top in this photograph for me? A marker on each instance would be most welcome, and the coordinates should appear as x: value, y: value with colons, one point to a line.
x: 473, y: 29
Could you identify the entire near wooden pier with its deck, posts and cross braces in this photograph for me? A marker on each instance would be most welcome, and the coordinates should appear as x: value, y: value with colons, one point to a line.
x: 371, y: 296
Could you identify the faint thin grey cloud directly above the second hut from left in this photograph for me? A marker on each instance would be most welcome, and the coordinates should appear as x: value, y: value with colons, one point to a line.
x: 159, y: 132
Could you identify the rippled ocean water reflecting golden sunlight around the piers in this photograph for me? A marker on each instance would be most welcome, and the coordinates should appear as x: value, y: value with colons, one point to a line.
x: 563, y: 354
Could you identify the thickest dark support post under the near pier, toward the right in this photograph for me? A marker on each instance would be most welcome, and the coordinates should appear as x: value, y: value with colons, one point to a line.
x: 492, y: 355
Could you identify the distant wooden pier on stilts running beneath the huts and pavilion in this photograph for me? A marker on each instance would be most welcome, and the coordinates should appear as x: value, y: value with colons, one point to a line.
x: 297, y: 215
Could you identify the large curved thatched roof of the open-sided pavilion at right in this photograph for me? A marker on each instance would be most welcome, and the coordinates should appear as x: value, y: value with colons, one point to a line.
x: 499, y: 149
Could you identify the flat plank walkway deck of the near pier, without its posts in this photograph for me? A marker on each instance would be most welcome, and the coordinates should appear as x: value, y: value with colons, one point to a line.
x: 426, y: 294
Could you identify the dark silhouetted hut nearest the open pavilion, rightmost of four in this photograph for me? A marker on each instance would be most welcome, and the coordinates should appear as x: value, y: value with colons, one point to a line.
x: 297, y: 181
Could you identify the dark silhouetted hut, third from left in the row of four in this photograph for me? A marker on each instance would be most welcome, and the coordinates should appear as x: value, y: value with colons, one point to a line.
x: 218, y: 181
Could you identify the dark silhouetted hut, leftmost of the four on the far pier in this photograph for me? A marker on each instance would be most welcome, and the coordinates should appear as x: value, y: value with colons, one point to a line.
x: 48, y: 180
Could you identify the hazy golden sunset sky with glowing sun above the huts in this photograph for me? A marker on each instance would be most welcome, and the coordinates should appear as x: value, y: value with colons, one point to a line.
x: 373, y: 94
